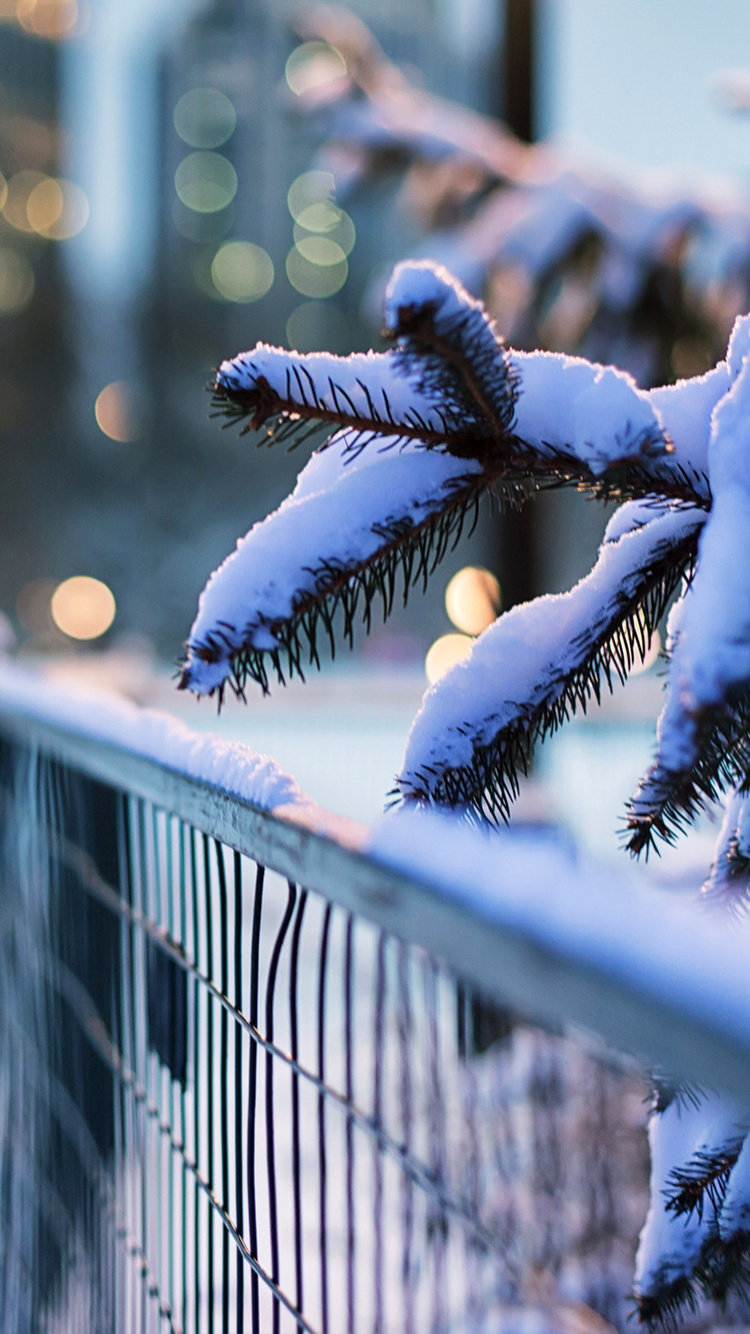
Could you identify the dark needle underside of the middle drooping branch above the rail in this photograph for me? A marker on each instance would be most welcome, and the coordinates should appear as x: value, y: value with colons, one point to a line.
x: 488, y: 785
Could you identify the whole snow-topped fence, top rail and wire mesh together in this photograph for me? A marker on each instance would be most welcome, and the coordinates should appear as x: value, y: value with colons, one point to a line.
x: 246, y: 1077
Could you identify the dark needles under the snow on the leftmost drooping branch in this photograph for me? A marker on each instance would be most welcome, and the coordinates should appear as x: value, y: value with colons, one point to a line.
x: 344, y: 592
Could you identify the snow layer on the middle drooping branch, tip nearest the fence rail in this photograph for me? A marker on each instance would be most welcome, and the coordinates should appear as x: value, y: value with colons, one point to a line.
x: 521, y: 661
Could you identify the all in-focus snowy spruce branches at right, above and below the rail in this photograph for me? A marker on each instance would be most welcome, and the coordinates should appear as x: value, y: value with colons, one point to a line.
x: 420, y: 434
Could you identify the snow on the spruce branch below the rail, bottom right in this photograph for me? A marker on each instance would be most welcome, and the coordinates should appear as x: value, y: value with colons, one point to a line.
x: 669, y: 1244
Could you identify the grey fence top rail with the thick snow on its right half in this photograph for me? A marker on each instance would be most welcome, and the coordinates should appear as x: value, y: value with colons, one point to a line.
x: 524, y: 921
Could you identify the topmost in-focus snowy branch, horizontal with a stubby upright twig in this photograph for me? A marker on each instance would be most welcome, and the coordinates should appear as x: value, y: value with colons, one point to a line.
x: 452, y: 384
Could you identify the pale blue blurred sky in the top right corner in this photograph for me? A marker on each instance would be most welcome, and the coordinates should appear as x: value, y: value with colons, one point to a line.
x: 633, y: 78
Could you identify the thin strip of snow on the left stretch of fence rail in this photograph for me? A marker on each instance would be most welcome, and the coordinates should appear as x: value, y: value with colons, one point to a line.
x: 230, y: 766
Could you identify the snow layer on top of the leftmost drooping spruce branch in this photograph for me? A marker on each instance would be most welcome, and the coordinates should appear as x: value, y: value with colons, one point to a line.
x: 333, y: 516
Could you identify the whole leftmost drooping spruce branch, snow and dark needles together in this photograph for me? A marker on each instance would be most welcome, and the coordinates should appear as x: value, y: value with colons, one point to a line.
x: 353, y: 525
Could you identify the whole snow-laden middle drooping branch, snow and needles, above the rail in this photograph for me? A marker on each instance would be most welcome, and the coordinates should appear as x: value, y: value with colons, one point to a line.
x: 544, y: 661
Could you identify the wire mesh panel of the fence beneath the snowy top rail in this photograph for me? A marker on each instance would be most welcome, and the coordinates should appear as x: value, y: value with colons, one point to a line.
x: 230, y: 1105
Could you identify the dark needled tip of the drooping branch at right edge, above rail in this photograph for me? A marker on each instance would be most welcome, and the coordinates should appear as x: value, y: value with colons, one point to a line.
x: 668, y: 801
